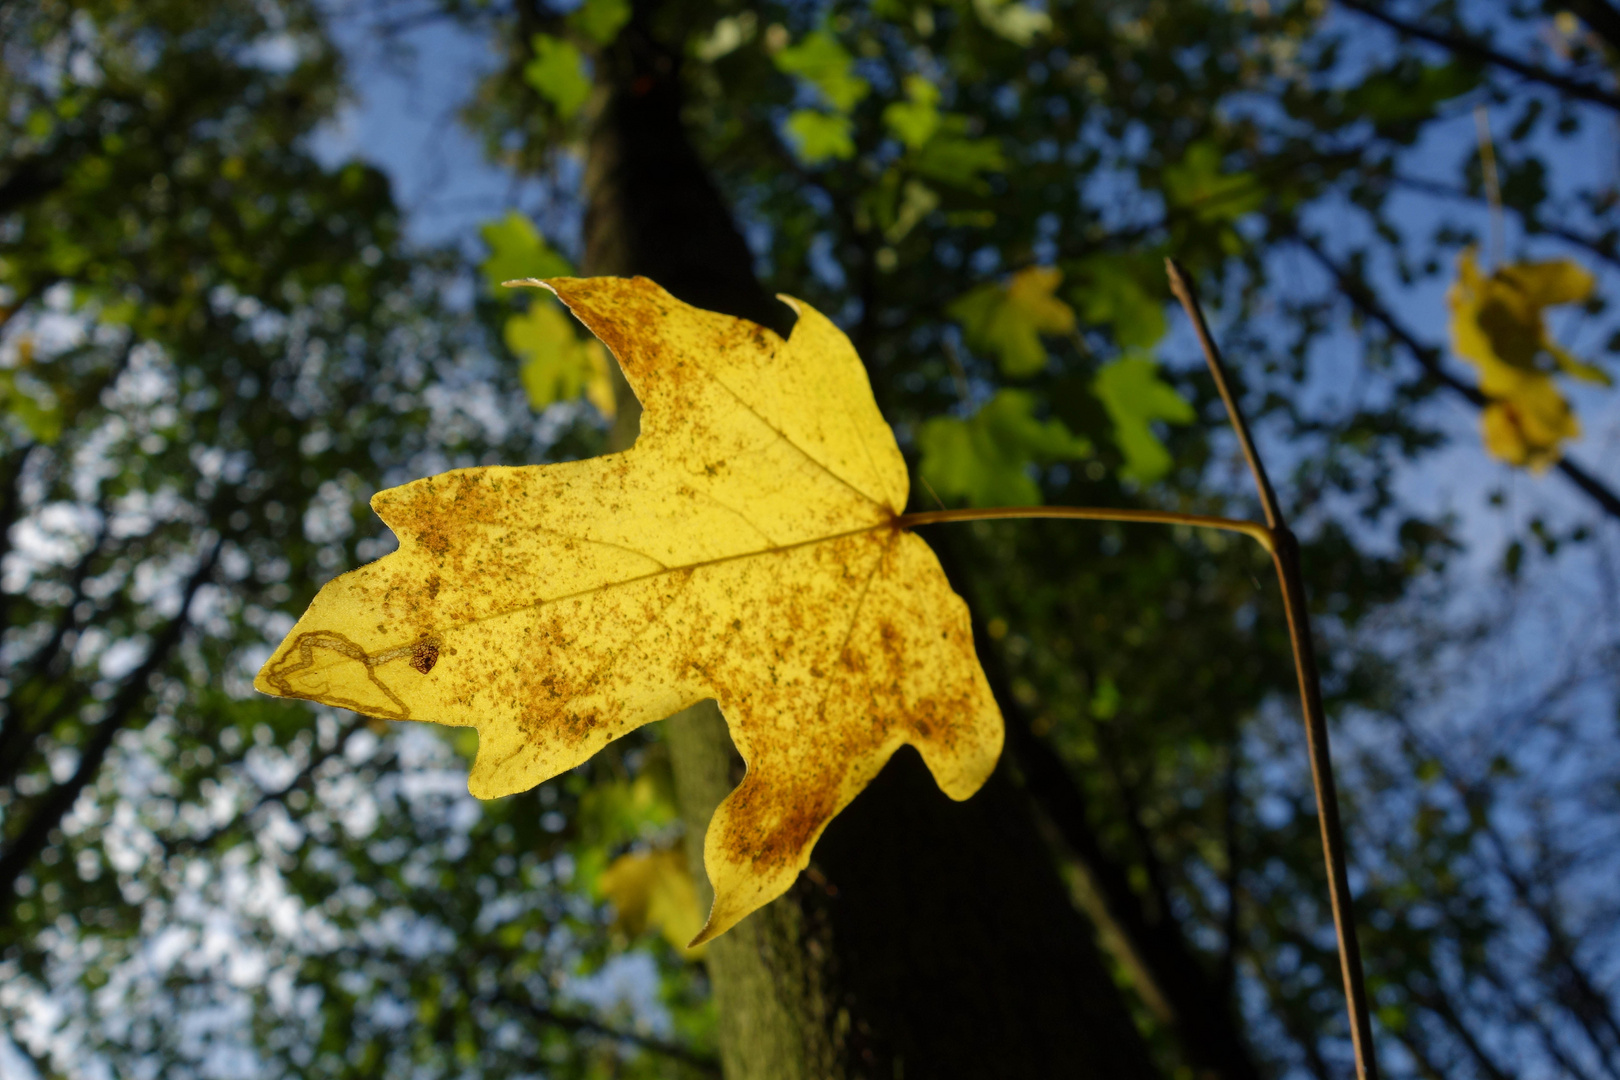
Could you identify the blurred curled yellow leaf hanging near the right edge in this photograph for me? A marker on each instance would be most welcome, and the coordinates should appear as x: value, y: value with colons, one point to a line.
x: 1499, y: 326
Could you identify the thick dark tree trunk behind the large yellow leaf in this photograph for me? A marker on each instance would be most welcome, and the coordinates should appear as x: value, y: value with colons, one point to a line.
x: 929, y: 938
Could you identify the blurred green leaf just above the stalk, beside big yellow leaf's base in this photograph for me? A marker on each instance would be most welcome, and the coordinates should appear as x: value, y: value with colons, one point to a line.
x: 987, y: 457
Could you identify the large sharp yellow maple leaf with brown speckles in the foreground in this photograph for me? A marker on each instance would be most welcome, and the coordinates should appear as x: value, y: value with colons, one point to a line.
x: 744, y: 550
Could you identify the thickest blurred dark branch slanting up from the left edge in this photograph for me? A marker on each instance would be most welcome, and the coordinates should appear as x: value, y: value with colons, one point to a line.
x: 56, y: 804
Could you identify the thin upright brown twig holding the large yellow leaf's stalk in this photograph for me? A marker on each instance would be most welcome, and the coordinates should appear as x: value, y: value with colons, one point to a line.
x: 1285, y: 555
